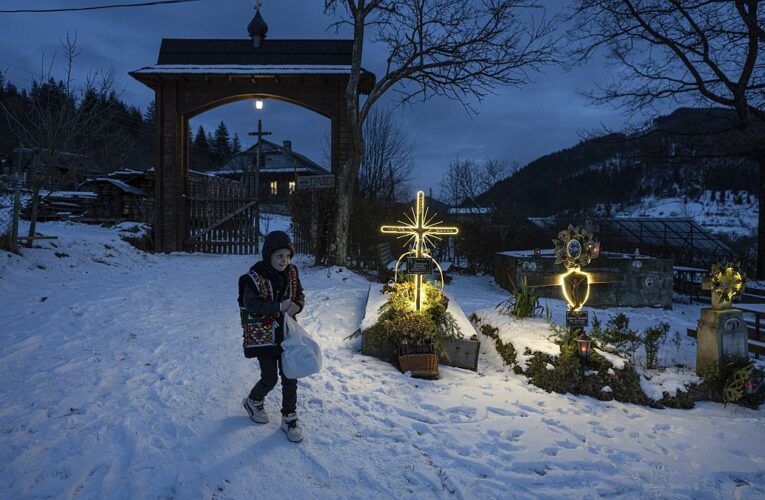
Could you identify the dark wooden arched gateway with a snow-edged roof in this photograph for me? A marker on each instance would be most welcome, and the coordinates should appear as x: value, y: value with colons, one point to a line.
x: 193, y: 76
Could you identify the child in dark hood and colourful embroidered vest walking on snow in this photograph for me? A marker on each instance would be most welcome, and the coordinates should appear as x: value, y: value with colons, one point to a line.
x: 269, y: 291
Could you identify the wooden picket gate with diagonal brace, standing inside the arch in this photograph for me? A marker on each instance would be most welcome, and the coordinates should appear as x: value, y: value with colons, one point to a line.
x: 221, y: 218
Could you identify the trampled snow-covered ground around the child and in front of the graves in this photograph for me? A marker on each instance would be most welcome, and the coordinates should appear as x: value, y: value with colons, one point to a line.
x: 122, y: 377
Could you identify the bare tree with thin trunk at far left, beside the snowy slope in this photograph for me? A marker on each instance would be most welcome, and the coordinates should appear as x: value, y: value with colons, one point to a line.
x: 53, y: 119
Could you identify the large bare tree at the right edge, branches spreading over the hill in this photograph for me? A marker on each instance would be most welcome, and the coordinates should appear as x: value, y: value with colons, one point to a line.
x: 684, y: 52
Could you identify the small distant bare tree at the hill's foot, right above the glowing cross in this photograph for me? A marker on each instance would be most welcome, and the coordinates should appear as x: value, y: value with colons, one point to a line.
x: 466, y: 180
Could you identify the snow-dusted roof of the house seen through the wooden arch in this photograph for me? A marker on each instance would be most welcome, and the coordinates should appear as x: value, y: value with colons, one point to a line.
x: 274, y: 159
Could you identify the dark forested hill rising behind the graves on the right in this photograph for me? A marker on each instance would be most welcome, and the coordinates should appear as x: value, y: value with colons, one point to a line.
x: 682, y: 154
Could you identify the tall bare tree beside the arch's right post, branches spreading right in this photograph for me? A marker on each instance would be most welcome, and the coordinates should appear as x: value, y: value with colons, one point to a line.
x: 460, y: 49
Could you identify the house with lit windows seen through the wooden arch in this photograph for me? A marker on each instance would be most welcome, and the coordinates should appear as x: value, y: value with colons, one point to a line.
x: 280, y: 167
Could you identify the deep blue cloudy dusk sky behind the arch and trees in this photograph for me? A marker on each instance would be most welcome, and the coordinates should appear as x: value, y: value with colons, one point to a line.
x: 517, y: 124
